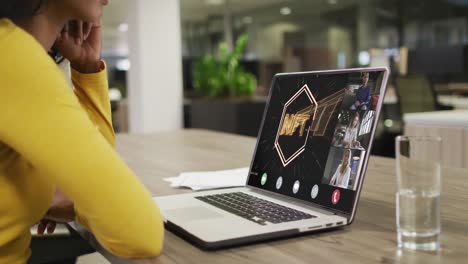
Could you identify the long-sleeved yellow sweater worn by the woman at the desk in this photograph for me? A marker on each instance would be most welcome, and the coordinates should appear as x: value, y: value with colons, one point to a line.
x: 53, y: 137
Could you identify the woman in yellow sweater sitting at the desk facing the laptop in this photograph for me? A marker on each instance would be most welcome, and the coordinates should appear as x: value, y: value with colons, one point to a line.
x: 57, y: 157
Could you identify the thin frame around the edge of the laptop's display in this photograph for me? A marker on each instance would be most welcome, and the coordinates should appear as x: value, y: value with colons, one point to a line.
x: 383, y: 88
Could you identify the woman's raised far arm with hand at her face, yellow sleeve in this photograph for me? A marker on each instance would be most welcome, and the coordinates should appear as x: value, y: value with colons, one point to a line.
x: 81, y: 43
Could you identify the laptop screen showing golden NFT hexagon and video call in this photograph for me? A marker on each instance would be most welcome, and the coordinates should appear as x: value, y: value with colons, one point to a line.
x: 316, y: 134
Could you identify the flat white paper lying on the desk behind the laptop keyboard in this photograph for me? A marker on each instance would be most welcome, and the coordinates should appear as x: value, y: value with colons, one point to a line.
x: 204, y: 180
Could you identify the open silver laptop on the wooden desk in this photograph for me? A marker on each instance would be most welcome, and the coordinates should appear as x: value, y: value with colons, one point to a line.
x: 308, y: 166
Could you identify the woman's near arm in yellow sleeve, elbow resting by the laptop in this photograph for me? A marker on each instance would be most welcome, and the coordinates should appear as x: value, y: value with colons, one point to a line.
x: 43, y: 121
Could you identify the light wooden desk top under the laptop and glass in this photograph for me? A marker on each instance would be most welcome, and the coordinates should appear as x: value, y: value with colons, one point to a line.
x: 371, y: 239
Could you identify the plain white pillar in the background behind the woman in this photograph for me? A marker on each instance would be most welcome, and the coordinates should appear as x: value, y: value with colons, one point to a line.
x: 155, y: 77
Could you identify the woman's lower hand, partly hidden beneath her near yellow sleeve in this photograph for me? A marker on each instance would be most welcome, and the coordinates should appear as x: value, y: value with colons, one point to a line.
x: 61, y: 211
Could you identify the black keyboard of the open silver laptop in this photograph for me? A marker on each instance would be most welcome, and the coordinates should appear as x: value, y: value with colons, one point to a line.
x: 253, y: 208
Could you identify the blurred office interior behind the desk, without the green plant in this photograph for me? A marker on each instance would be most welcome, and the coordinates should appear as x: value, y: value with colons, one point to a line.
x: 153, y: 47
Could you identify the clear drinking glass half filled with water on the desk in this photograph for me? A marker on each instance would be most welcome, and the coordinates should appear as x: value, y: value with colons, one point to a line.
x: 418, y: 192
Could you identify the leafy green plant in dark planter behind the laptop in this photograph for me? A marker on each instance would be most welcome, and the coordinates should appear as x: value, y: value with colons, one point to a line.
x: 226, y: 89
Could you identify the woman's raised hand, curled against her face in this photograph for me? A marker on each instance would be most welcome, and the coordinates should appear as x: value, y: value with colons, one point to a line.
x: 81, y: 42
